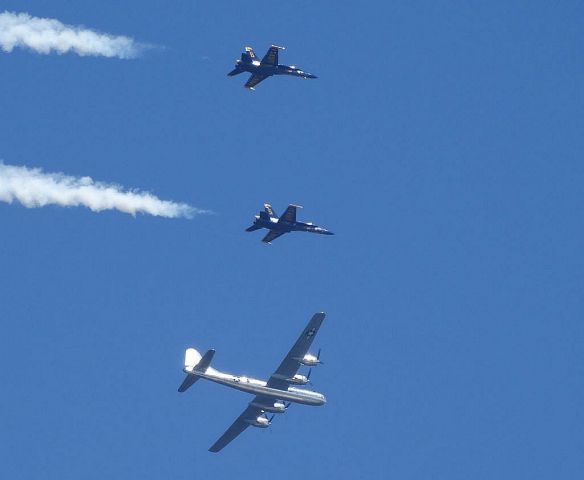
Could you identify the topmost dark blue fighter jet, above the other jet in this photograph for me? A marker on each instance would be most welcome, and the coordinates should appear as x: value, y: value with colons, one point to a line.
x: 266, y: 68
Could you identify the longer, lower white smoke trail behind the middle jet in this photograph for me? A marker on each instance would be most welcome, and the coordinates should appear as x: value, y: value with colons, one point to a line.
x: 34, y: 188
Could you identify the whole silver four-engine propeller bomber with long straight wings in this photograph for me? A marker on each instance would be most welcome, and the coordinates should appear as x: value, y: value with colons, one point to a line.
x: 269, y: 396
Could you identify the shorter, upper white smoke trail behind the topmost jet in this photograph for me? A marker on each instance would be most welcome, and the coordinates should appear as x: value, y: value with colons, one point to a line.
x: 44, y: 35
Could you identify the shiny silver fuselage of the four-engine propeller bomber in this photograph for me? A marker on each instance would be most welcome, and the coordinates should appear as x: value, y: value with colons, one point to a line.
x: 259, y: 387
